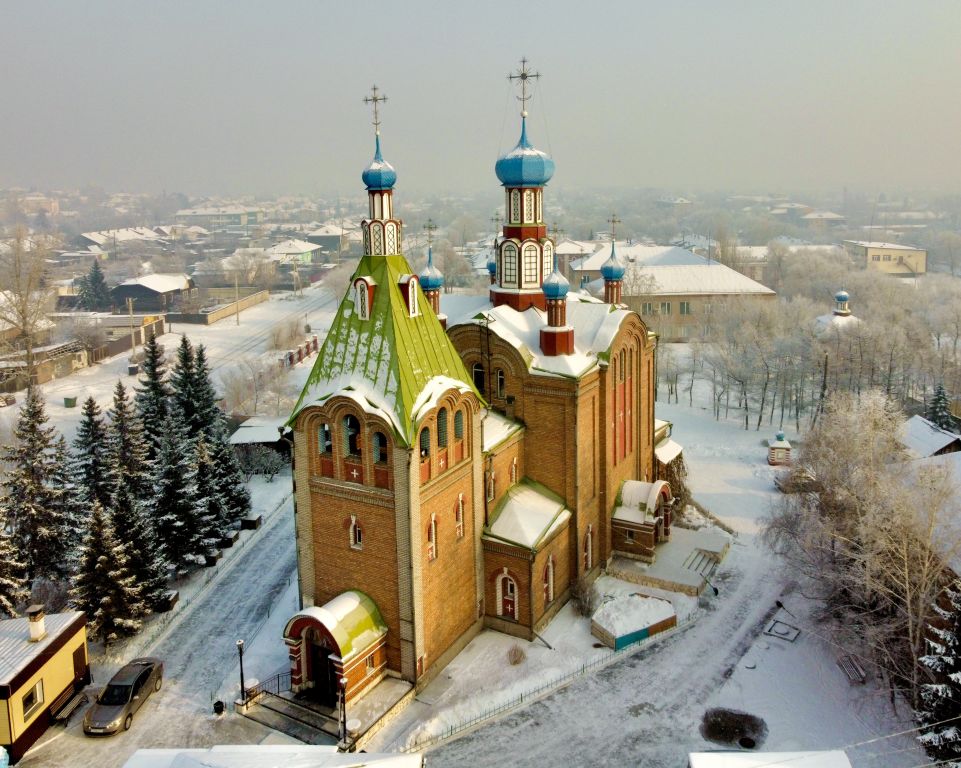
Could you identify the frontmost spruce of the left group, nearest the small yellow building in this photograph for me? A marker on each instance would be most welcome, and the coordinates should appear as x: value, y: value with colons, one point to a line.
x: 104, y: 588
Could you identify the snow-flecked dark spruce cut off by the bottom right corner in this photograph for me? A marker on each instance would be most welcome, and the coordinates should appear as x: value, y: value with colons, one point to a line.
x: 940, y: 700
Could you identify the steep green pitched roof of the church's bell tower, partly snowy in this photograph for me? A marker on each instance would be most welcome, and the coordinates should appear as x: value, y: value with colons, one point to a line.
x: 388, y: 361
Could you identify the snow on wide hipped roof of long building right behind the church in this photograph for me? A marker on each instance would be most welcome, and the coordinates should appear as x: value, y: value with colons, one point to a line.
x: 690, y: 279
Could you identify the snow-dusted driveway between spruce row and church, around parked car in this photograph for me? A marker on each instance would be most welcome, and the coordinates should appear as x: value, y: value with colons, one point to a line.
x: 197, y: 652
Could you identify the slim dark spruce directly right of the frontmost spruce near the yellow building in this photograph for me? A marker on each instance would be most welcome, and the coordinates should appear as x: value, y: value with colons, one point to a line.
x: 135, y: 533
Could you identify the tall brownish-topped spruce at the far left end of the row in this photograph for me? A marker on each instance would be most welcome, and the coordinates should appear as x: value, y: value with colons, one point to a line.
x: 31, y: 506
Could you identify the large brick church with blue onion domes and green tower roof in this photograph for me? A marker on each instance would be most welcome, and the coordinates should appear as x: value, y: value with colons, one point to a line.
x: 464, y: 464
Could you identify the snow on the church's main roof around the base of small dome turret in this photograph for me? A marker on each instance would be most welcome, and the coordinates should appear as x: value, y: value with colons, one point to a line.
x: 595, y: 325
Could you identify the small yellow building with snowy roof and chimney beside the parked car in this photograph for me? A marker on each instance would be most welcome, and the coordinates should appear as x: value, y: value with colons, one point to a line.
x: 43, y: 662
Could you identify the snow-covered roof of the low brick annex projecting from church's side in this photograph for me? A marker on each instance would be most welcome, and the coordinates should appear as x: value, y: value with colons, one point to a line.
x: 527, y: 515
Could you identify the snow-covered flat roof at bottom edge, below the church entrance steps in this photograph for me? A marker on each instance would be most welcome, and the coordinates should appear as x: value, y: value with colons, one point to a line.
x: 265, y: 755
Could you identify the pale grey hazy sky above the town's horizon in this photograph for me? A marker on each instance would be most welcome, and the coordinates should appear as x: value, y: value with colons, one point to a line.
x: 240, y: 97
